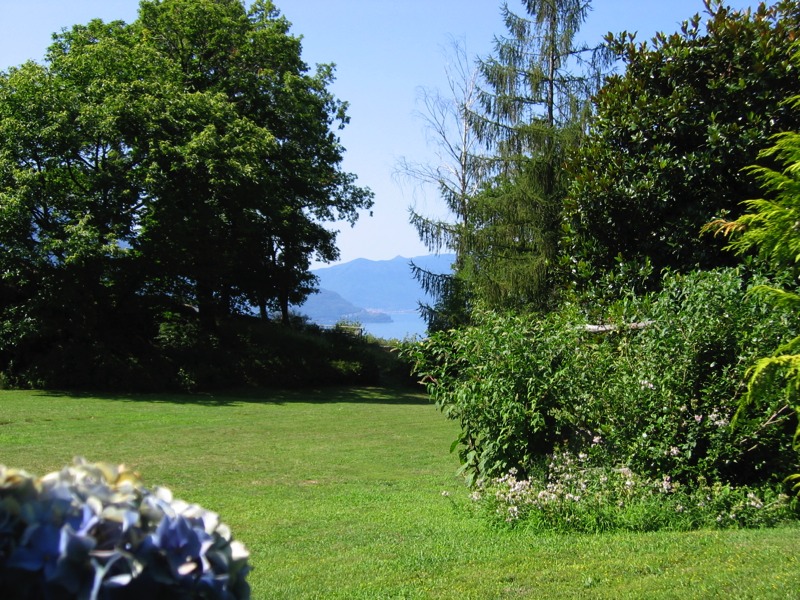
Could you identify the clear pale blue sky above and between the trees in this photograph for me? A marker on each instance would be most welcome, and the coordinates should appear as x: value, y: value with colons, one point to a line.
x: 384, y: 51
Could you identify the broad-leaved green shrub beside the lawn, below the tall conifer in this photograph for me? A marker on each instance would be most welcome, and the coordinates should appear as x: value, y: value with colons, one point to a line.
x: 500, y: 380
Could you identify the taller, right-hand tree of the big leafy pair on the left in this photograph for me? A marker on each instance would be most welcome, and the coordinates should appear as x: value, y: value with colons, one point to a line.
x: 271, y: 174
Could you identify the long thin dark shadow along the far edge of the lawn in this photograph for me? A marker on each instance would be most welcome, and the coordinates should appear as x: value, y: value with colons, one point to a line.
x: 323, y: 395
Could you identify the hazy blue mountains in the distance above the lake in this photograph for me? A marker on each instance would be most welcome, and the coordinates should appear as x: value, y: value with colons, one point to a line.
x: 368, y: 287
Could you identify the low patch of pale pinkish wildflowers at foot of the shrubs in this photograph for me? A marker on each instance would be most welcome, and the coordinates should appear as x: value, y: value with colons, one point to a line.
x: 572, y: 494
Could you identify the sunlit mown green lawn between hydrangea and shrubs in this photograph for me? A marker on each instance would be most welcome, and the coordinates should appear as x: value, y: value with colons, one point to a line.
x: 338, y: 494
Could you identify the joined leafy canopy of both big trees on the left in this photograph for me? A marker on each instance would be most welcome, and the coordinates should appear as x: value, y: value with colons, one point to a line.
x: 151, y: 167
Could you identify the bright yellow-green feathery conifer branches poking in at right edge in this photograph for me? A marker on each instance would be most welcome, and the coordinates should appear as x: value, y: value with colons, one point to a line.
x: 769, y: 227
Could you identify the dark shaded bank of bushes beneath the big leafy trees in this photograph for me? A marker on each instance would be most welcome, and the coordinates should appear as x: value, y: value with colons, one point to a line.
x: 182, y: 355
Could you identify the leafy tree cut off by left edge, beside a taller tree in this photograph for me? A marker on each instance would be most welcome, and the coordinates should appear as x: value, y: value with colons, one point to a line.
x: 70, y: 200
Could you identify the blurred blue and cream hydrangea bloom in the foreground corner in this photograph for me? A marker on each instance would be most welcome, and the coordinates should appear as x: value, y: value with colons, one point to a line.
x: 92, y: 531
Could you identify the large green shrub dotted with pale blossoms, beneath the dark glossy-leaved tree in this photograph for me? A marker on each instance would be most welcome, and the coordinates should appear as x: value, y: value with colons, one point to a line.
x: 668, y: 403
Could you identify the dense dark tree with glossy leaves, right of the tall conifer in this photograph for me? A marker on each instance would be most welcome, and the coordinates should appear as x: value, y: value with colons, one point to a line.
x: 671, y: 135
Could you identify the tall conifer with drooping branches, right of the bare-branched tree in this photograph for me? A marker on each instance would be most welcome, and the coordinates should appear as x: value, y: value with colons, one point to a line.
x: 534, y: 105
